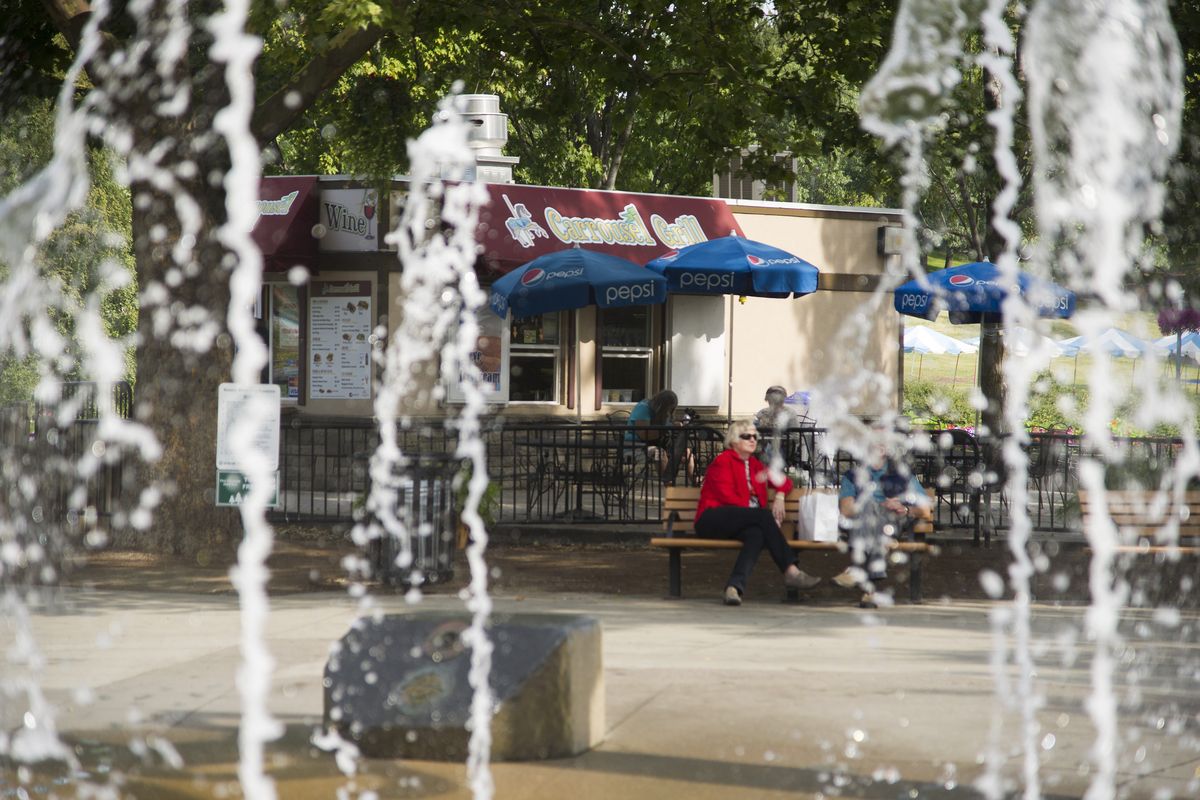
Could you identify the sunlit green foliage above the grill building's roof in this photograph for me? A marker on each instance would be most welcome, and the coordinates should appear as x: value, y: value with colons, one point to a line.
x: 640, y: 98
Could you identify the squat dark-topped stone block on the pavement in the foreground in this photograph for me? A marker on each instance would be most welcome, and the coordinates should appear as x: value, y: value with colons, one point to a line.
x: 399, y: 687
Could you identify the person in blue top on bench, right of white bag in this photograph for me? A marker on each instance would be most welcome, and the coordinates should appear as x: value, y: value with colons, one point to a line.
x: 879, y: 501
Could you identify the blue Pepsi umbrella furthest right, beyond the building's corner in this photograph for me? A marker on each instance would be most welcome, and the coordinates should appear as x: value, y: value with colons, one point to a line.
x: 974, y: 292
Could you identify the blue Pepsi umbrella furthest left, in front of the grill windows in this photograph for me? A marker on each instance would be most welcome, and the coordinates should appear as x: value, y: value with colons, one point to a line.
x: 574, y: 279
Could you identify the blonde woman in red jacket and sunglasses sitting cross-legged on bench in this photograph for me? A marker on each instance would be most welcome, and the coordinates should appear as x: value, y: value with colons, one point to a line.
x: 734, y: 504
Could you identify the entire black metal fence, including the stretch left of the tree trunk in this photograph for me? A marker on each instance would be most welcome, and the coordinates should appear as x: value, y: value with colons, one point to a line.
x: 556, y: 471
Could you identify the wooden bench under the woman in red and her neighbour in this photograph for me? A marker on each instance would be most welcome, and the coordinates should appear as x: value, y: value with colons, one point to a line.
x: 680, y: 515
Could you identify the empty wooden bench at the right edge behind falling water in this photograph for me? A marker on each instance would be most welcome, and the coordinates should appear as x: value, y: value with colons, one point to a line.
x: 1144, y: 516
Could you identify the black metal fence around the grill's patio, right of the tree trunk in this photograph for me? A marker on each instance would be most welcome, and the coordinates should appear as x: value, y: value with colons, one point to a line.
x: 551, y: 471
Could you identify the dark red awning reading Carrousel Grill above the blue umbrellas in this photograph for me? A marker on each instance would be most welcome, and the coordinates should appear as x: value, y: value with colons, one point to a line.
x: 524, y: 222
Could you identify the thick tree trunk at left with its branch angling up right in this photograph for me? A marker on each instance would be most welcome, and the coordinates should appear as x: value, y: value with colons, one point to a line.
x: 159, y: 109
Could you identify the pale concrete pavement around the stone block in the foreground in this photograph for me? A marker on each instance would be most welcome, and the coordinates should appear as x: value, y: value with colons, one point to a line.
x: 764, y: 701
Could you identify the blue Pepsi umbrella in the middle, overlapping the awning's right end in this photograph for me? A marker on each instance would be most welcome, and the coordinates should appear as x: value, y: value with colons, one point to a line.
x: 736, y: 266
